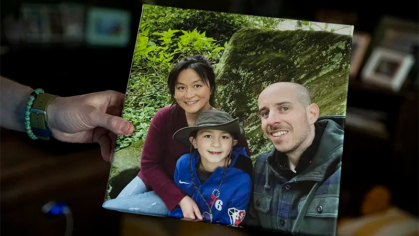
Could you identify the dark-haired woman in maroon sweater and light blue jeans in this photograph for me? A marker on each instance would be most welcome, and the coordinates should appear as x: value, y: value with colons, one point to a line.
x: 153, y: 191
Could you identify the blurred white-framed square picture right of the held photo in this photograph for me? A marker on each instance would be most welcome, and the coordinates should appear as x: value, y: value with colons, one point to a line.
x: 387, y: 68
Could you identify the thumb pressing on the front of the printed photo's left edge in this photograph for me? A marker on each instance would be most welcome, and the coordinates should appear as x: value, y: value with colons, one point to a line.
x: 115, y: 124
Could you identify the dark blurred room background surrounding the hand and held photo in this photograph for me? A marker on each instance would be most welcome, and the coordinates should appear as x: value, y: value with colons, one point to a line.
x: 76, y: 47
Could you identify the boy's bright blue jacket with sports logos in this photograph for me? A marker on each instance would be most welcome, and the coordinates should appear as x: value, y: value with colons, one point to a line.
x: 231, y: 206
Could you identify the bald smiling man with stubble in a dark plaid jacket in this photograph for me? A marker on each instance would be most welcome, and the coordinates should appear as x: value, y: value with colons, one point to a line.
x: 296, y: 184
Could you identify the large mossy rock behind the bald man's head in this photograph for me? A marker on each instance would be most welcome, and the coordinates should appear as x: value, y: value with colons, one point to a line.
x: 256, y: 58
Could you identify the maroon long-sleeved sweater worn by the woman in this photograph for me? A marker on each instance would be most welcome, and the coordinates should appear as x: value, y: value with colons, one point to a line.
x: 161, y: 152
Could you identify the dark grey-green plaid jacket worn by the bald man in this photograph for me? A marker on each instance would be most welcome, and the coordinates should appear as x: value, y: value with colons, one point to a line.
x: 308, y: 203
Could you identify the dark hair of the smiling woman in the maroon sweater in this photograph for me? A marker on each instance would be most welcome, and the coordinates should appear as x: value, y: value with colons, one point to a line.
x: 201, y: 66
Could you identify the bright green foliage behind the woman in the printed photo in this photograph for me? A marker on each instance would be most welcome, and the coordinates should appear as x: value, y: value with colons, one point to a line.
x: 165, y: 36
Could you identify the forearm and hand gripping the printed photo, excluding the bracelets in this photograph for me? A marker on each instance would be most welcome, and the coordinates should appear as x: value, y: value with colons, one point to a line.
x: 88, y: 118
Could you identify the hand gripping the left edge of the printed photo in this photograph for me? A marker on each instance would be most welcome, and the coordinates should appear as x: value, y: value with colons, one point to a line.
x: 90, y: 118
